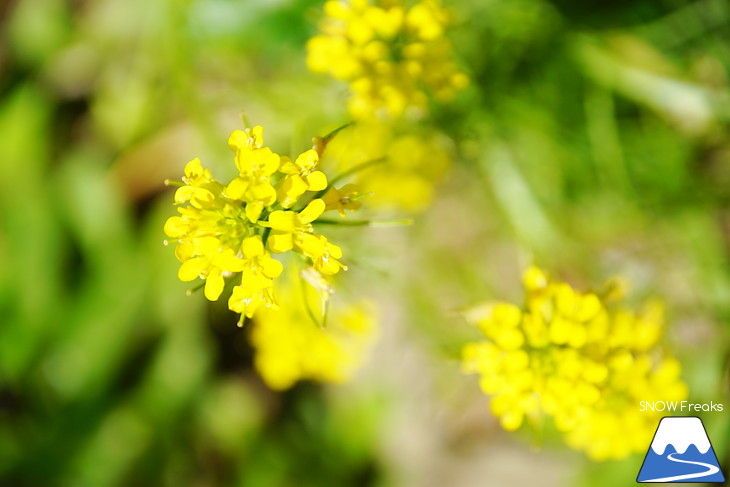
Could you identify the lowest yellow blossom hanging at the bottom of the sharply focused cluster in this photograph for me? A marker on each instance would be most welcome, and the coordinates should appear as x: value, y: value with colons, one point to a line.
x: 257, y: 279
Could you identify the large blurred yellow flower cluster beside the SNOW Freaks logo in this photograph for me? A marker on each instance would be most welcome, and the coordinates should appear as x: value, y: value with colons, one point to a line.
x: 573, y: 357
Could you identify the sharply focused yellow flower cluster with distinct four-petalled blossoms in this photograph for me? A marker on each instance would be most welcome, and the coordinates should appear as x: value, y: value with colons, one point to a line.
x: 232, y: 229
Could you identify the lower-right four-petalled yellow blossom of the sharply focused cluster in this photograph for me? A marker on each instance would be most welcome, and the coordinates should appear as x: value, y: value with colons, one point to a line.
x: 292, y: 230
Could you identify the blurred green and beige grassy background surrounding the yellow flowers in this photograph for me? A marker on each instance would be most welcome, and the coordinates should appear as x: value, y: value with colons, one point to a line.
x: 593, y: 140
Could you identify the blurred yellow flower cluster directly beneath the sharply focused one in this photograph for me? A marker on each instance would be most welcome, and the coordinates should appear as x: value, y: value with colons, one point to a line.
x: 291, y: 345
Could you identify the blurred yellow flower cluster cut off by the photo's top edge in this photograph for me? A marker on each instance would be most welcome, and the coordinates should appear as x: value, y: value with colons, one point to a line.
x: 391, y: 55
